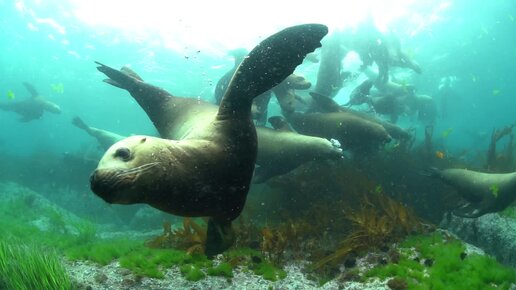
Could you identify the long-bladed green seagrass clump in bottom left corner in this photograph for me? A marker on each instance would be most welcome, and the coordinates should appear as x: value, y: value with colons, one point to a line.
x: 24, y: 266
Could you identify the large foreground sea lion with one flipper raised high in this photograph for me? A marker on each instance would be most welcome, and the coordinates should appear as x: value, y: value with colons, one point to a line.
x: 208, y: 169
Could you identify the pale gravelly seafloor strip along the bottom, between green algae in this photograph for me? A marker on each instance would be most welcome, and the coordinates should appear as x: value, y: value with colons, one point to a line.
x: 92, y: 276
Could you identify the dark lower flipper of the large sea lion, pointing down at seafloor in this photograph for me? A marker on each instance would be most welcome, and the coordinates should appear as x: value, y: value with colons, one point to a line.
x: 219, y: 237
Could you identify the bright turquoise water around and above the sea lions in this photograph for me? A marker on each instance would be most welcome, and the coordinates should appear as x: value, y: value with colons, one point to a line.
x: 183, y: 49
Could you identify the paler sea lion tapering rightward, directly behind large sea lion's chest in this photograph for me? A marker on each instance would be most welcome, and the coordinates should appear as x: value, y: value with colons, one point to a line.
x: 282, y: 150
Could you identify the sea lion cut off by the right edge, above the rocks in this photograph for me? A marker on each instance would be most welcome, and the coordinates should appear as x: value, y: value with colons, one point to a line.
x: 485, y: 192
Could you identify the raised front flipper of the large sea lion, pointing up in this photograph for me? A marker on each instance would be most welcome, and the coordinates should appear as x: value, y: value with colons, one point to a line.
x: 268, y: 64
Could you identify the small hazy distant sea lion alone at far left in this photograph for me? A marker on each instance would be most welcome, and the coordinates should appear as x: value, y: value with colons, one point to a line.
x: 33, y: 108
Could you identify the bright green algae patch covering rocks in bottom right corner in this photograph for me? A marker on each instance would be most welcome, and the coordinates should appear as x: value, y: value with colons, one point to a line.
x: 451, y: 268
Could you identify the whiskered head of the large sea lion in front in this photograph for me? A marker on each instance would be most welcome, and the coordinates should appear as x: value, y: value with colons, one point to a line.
x: 128, y: 170
